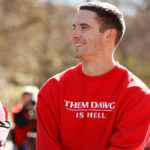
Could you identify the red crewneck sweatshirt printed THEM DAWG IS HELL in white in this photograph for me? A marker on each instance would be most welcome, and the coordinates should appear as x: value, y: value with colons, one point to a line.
x: 107, y: 112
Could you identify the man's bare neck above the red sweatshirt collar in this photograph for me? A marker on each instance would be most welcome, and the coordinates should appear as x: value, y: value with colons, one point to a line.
x: 97, y: 68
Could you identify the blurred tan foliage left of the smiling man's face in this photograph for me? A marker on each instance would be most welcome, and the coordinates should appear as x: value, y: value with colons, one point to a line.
x: 34, y: 43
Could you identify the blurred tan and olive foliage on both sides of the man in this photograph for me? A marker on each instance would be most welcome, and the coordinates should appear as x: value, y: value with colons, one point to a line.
x: 35, y: 43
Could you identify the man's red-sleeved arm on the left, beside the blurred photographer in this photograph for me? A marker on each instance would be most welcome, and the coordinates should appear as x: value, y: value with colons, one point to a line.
x: 48, y: 117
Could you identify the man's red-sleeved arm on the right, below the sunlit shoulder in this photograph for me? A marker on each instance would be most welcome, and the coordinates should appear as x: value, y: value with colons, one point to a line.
x: 132, y: 130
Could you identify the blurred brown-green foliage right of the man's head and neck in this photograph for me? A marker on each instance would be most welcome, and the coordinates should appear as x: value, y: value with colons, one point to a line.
x: 135, y: 46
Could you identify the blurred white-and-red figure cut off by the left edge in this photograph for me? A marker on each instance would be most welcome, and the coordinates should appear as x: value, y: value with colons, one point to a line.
x: 4, y: 126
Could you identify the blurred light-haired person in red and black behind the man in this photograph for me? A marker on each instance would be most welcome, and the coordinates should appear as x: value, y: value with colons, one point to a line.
x: 25, y: 120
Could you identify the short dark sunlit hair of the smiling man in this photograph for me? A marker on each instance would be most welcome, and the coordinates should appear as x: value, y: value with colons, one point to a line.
x: 108, y: 16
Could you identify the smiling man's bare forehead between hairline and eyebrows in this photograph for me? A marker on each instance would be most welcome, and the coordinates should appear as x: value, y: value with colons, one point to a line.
x: 85, y: 16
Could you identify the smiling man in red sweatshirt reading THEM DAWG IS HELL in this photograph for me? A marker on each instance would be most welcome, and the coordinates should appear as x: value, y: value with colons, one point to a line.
x: 98, y: 104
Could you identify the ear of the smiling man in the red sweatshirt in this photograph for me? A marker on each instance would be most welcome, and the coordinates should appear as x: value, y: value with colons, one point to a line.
x: 110, y: 35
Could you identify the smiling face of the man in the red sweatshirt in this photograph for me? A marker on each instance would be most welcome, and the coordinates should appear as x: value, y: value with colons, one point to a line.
x: 86, y: 37
